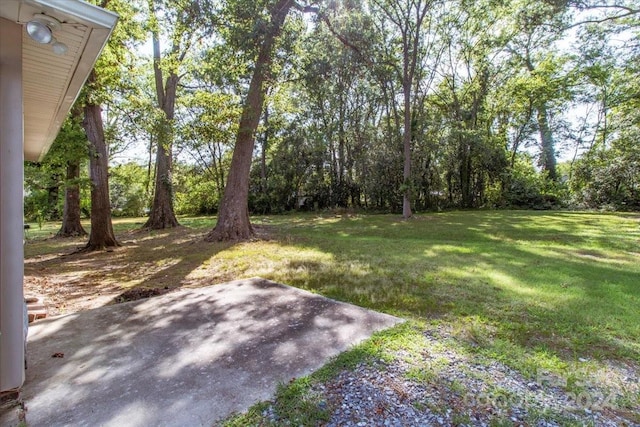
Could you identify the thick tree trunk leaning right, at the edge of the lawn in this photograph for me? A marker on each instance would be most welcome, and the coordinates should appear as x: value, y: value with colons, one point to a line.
x: 233, y: 217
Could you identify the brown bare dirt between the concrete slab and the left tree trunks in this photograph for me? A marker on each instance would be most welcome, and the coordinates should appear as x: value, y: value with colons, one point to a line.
x: 148, y: 263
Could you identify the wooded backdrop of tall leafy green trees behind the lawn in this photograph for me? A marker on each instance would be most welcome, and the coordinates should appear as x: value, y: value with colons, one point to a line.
x: 278, y: 105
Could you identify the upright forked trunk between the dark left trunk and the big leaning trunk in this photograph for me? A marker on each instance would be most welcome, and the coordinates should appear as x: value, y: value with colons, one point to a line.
x: 162, y: 214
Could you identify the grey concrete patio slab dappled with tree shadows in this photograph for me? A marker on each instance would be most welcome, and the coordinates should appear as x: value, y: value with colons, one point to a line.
x: 187, y: 358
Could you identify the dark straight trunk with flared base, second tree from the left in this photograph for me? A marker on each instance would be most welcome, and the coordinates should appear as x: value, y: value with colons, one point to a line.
x: 101, y: 235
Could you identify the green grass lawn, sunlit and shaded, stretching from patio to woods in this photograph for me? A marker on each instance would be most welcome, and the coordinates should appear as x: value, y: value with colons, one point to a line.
x: 553, y: 291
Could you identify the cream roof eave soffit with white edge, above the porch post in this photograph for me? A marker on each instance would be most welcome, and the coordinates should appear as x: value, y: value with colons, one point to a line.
x: 52, y: 82
